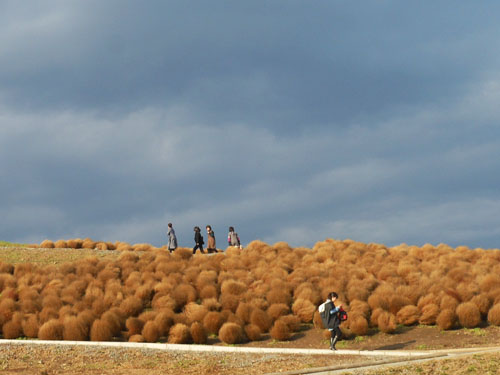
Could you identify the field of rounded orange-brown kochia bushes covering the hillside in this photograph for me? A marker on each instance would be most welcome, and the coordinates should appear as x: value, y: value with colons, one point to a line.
x: 150, y: 295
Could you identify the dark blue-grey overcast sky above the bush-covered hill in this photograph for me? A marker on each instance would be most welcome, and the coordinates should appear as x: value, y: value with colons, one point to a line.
x: 292, y: 121
